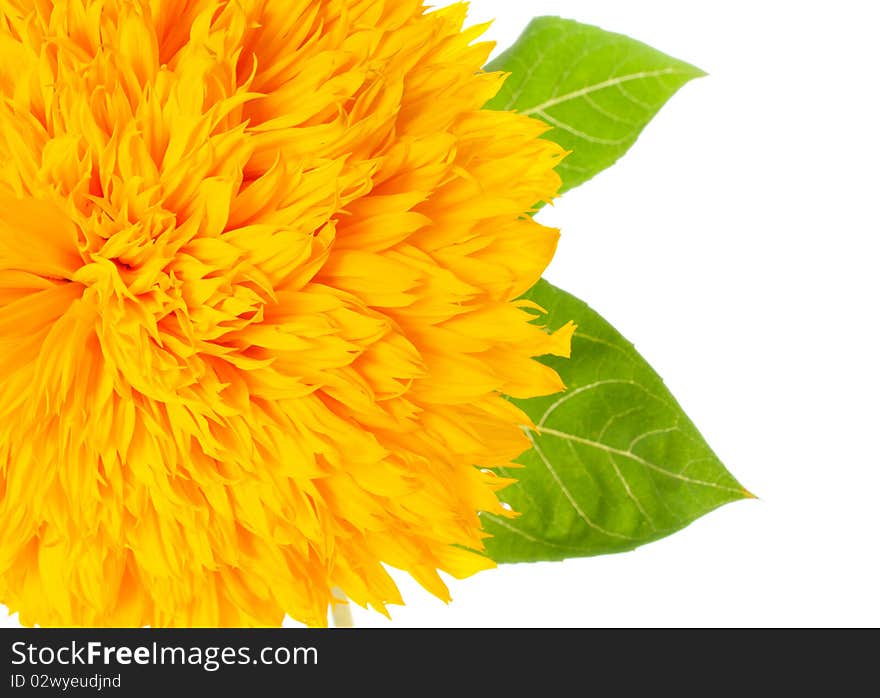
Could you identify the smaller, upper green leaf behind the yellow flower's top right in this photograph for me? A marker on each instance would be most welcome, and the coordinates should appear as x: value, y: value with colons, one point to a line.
x: 598, y: 90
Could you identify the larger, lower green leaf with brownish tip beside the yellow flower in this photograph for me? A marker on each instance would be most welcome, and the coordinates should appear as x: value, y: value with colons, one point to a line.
x: 616, y: 463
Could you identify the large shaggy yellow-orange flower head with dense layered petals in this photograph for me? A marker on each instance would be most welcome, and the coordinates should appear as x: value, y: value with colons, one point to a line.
x: 259, y: 263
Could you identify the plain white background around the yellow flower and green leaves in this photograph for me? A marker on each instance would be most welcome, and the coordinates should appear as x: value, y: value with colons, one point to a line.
x: 737, y: 247
